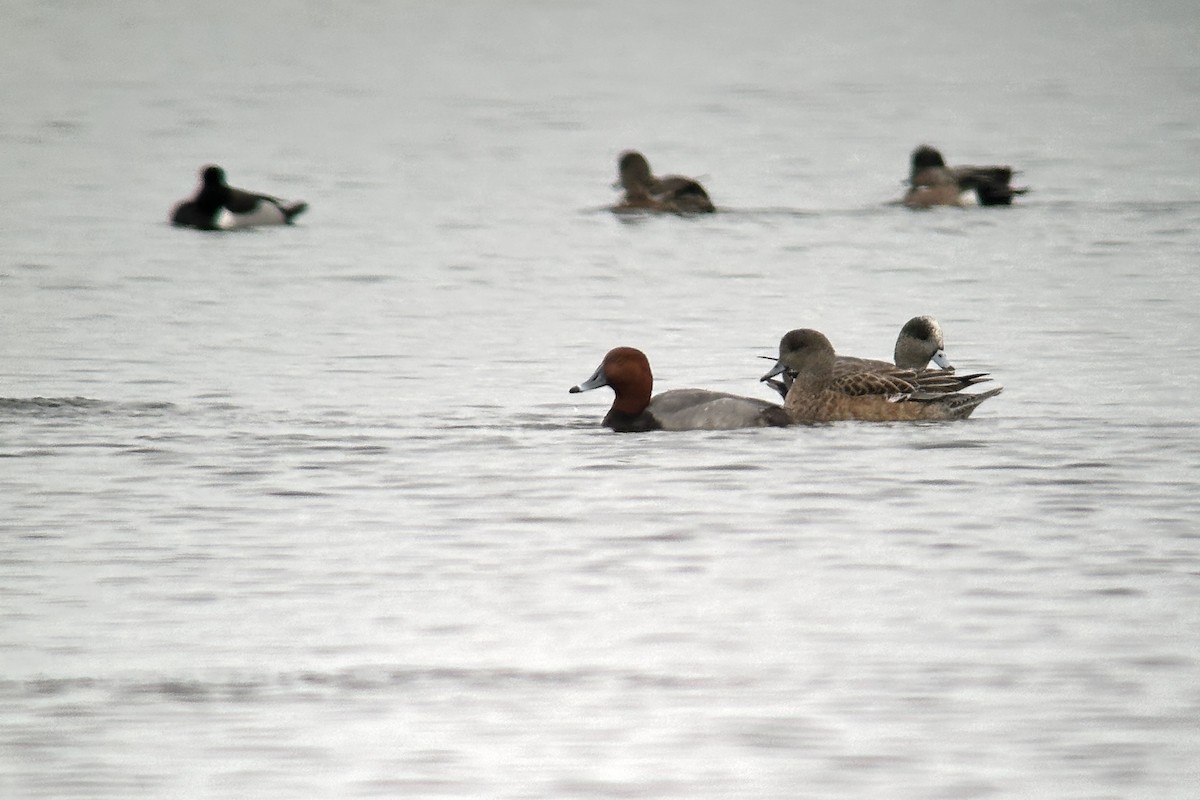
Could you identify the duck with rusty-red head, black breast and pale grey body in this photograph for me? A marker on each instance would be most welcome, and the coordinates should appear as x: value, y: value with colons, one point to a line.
x: 627, y: 371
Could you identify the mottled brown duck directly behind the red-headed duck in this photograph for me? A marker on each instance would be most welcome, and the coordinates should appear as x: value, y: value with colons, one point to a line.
x: 883, y: 395
